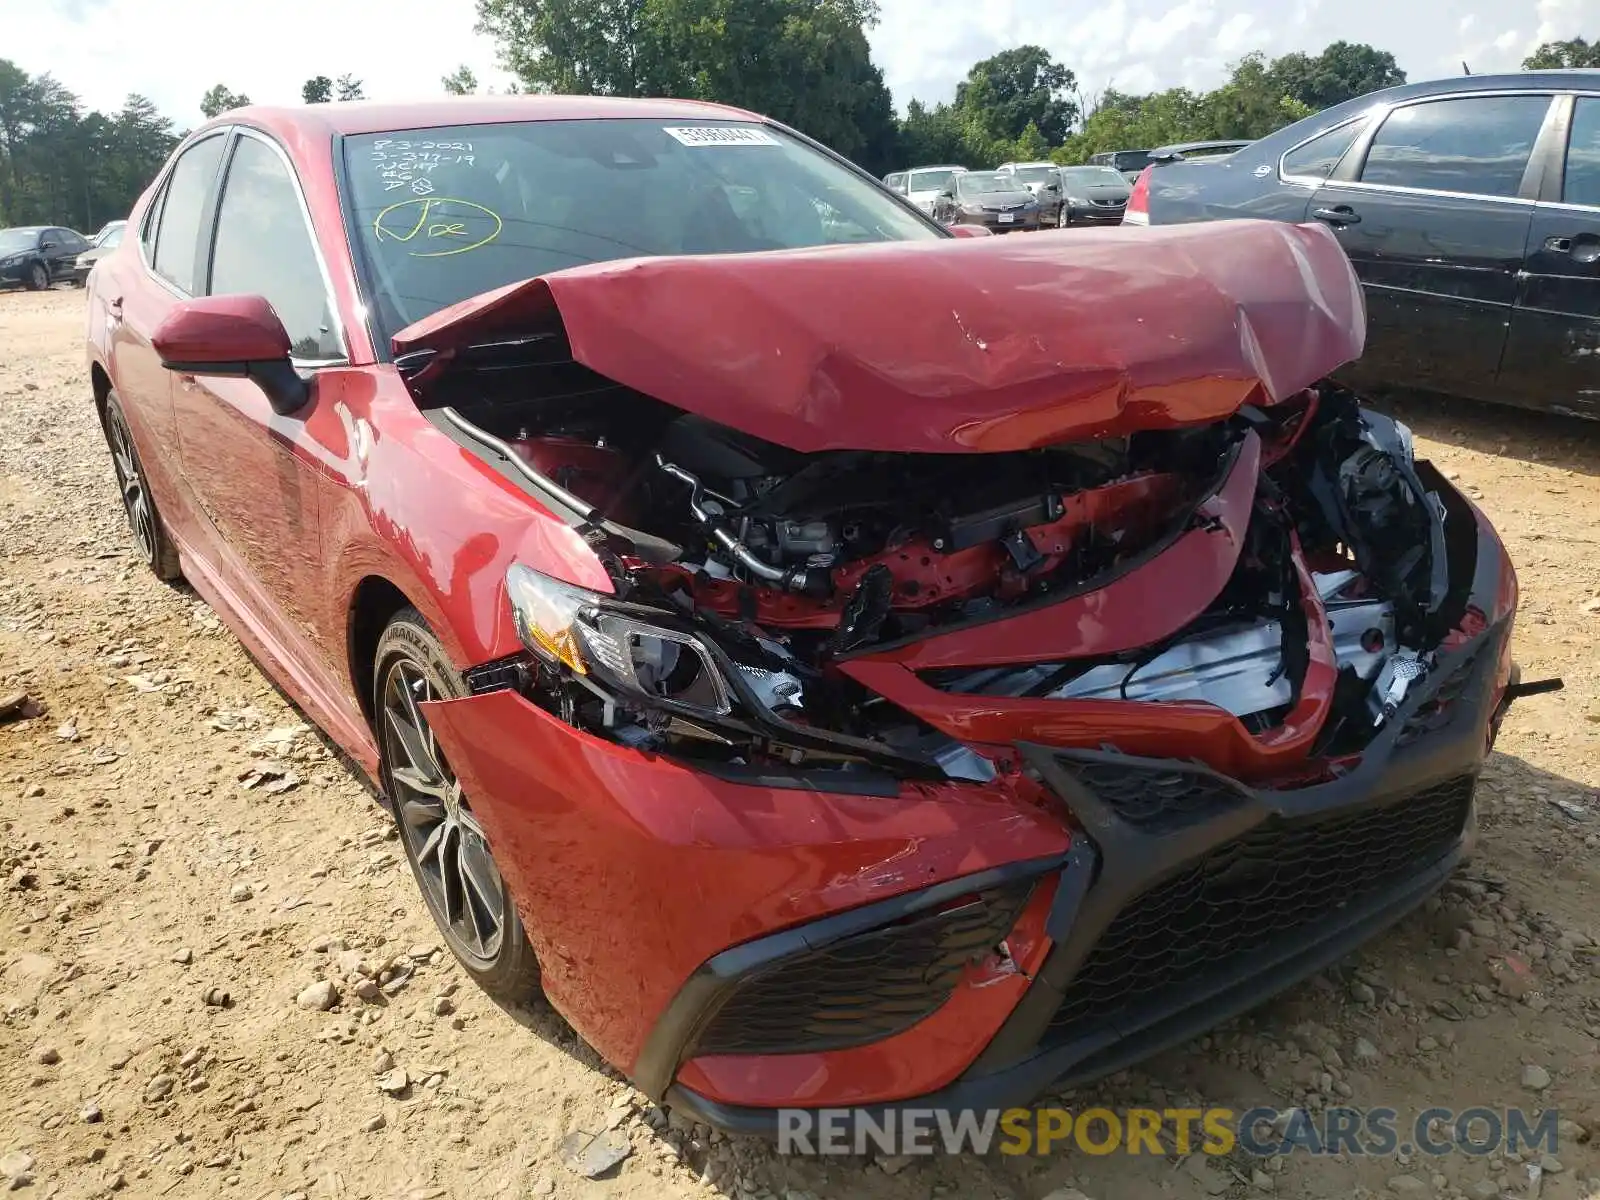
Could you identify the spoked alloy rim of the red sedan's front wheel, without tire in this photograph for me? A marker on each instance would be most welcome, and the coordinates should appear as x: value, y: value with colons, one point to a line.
x: 446, y: 839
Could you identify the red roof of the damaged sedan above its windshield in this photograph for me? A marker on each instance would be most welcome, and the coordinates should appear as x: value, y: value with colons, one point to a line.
x: 356, y: 118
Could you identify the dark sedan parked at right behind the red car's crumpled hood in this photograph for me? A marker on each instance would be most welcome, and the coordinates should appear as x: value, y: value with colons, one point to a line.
x: 1471, y: 210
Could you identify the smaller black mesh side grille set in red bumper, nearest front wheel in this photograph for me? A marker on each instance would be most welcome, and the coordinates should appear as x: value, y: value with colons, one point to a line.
x: 863, y: 988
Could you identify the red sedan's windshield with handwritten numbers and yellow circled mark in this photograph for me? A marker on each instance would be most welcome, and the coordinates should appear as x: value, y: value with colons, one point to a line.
x: 442, y: 215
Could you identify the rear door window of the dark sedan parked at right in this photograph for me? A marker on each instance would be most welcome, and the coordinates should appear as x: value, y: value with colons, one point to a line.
x: 1470, y: 145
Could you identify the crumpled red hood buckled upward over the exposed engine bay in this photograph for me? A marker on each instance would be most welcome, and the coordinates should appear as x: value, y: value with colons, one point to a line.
x: 983, y: 345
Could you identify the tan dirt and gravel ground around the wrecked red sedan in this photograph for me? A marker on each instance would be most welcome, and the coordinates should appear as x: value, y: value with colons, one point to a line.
x: 170, y: 830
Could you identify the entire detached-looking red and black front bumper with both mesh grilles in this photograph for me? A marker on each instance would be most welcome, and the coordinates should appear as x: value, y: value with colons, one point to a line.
x: 734, y: 943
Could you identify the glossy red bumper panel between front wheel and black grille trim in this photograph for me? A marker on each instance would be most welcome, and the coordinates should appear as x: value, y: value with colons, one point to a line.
x: 631, y: 871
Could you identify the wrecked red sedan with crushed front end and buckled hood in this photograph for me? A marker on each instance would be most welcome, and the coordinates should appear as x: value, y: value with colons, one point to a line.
x: 834, y: 662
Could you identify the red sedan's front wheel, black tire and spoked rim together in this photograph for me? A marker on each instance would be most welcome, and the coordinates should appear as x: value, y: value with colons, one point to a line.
x: 450, y: 858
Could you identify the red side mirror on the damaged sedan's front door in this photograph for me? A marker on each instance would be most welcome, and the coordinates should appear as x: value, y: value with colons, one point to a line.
x: 236, y: 337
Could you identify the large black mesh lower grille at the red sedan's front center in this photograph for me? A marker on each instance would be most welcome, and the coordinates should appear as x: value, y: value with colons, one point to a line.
x: 1257, y: 892
